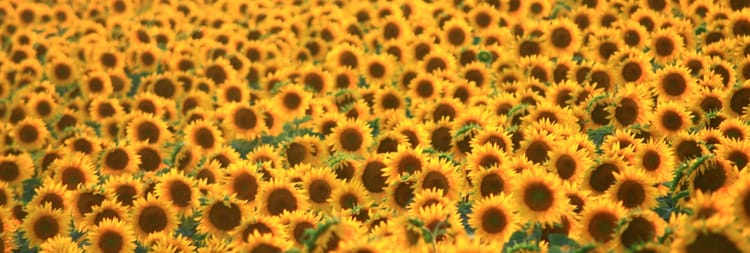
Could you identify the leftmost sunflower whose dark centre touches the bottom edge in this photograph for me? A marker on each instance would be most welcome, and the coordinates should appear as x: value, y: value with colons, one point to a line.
x: 111, y: 236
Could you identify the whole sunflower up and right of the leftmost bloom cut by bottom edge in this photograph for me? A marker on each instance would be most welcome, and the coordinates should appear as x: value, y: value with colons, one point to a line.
x: 152, y: 216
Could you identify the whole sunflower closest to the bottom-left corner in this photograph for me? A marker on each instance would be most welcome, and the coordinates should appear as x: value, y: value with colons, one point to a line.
x: 43, y: 223
